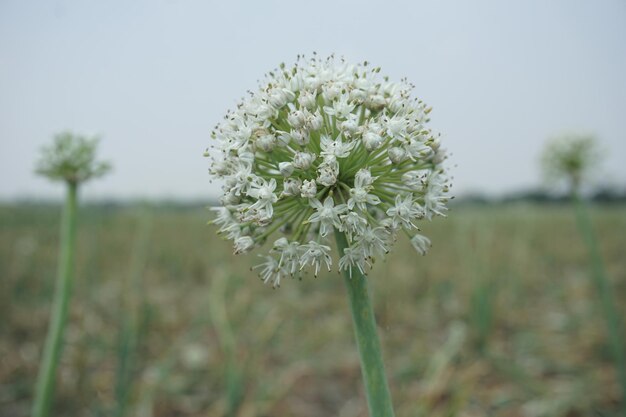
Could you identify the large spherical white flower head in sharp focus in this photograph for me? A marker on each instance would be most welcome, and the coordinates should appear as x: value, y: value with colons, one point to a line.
x: 327, y: 147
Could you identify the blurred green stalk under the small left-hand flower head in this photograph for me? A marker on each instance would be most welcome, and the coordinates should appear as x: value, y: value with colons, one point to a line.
x: 52, y: 348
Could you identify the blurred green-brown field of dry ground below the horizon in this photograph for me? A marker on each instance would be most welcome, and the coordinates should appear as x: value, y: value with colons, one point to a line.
x: 499, y: 319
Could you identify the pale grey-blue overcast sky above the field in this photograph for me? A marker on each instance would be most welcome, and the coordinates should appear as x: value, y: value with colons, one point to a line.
x: 153, y: 77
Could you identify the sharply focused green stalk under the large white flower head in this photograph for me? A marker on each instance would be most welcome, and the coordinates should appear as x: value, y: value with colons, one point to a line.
x: 372, y: 368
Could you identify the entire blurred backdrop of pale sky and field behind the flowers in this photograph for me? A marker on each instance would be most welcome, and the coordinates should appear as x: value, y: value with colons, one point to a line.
x: 501, y: 318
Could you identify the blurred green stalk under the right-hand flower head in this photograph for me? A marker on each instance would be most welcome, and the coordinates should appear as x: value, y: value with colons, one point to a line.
x: 603, y: 287
